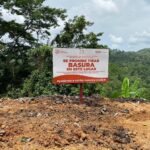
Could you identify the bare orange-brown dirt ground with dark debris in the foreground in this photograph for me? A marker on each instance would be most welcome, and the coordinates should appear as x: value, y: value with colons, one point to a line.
x: 47, y: 123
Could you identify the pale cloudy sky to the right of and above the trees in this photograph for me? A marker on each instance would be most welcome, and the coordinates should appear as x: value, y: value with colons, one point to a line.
x: 125, y: 23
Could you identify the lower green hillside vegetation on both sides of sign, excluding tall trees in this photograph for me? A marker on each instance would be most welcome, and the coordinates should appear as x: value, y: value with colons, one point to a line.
x: 134, y: 65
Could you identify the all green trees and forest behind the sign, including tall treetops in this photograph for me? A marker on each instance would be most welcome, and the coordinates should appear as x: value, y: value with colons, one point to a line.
x: 26, y: 54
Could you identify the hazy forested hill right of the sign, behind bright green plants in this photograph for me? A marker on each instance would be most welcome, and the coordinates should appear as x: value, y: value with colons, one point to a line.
x: 134, y: 65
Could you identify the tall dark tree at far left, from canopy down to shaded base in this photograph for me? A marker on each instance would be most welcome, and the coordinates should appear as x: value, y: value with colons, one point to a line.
x: 17, y: 38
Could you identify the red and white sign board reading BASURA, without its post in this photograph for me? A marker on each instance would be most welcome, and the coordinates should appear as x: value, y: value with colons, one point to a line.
x: 80, y: 65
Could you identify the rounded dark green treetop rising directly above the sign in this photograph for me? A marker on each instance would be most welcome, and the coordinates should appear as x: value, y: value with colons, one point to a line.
x: 74, y: 34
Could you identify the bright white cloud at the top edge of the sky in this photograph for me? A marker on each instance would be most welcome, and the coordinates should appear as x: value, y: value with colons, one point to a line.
x: 95, y: 8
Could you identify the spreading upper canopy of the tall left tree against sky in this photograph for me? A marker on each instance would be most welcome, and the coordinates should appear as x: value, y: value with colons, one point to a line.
x: 38, y: 19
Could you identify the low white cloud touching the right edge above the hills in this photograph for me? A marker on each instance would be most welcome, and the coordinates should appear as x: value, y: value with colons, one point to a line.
x: 140, y: 37
